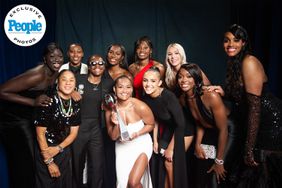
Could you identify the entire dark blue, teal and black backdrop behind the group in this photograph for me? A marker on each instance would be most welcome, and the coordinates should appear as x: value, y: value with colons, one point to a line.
x: 198, y: 25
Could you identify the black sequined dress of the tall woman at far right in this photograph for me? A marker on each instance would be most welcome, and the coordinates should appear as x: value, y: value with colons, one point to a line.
x: 268, y: 142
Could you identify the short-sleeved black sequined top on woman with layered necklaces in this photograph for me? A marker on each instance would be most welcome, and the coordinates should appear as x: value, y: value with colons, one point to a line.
x: 58, y: 125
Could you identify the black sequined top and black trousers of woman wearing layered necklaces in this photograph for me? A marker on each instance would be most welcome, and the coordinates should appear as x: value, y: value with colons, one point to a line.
x: 58, y: 126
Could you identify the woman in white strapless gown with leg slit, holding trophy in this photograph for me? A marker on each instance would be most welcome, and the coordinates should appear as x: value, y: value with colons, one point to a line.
x: 133, y: 155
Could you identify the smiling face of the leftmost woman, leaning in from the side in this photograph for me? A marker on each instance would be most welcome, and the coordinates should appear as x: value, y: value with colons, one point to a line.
x: 54, y: 60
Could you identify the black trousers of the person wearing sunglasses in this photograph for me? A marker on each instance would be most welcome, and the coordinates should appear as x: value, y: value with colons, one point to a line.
x: 88, y: 144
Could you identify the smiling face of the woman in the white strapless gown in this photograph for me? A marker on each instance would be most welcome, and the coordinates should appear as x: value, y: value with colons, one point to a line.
x: 123, y: 88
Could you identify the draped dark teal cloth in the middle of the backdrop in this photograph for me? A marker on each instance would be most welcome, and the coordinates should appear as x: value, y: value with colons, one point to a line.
x: 194, y: 24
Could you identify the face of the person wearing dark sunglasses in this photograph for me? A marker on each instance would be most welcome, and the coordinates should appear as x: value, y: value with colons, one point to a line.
x: 96, y: 68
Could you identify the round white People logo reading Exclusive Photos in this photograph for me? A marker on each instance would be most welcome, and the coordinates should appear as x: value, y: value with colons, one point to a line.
x: 25, y: 25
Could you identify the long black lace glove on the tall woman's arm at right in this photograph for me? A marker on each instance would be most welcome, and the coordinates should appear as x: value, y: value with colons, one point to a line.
x: 254, y: 111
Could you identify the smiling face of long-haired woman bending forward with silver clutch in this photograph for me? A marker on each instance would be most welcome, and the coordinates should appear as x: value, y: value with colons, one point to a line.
x: 185, y: 80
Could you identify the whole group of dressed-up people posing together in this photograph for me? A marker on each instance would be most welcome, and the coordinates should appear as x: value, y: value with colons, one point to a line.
x: 58, y: 131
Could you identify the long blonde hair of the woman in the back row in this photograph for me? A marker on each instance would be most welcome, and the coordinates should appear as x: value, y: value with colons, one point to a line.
x: 170, y: 75
